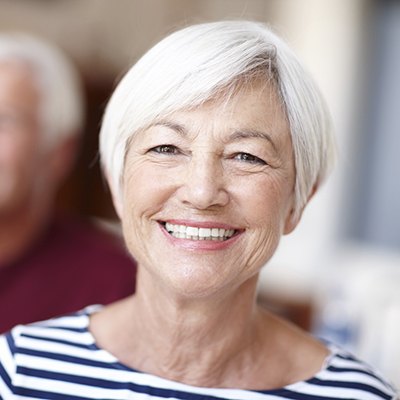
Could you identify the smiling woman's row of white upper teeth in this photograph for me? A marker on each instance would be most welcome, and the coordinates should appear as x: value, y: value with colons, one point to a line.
x: 194, y: 233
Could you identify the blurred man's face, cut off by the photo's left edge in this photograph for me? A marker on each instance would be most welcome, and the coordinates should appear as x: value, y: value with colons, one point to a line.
x: 21, y: 161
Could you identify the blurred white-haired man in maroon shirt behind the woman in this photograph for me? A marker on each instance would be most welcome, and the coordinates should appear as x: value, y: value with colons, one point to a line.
x: 49, y: 265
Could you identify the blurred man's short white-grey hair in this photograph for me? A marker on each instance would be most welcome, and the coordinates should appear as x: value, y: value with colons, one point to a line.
x: 62, y: 105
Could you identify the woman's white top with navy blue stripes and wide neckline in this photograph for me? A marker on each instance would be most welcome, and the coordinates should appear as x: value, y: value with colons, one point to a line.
x: 59, y: 359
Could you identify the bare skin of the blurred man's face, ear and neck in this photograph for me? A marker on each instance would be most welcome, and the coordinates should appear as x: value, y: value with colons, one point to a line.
x: 29, y: 172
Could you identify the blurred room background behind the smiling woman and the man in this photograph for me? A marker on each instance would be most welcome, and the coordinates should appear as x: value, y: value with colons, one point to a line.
x: 338, y: 274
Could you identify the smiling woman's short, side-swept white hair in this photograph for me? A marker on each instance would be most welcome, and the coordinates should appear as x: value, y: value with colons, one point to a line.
x: 201, y: 62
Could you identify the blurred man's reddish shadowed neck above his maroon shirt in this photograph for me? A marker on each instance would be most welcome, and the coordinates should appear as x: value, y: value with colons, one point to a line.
x: 19, y: 230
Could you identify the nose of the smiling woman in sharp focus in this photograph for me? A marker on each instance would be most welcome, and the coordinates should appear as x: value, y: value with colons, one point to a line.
x: 204, y: 183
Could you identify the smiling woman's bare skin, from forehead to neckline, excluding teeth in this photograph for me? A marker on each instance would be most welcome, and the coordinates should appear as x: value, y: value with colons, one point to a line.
x: 222, y: 164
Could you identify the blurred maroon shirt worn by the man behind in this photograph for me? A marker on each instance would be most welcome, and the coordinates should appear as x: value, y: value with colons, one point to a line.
x: 73, y: 265
